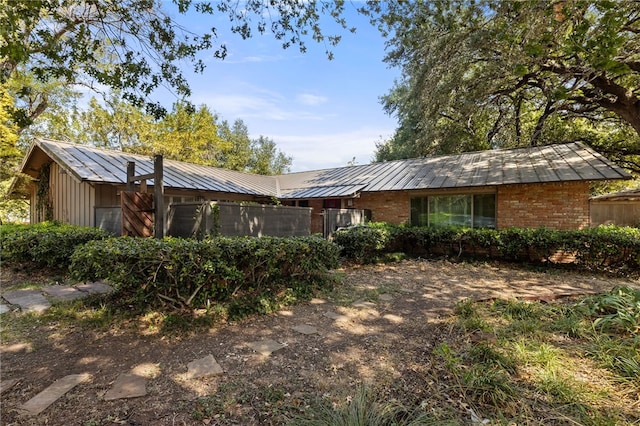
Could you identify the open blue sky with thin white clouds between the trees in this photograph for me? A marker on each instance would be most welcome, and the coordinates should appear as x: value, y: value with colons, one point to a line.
x: 323, y: 113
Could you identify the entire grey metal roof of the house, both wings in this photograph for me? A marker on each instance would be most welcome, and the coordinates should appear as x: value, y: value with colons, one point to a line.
x: 551, y: 163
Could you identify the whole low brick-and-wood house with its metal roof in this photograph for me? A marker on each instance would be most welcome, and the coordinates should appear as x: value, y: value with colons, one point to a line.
x: 525, y: 187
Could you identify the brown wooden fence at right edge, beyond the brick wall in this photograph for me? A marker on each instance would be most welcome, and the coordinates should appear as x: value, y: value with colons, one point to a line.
x: 618, y: 208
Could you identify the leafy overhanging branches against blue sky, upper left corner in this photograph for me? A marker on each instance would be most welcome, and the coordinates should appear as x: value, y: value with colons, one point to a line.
x: 135, y: 46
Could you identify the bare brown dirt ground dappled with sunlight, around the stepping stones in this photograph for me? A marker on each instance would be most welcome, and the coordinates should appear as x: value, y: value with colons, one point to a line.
x: 390, y: 319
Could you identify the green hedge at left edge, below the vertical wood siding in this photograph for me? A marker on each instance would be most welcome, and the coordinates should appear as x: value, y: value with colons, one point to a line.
x: 47, y: 244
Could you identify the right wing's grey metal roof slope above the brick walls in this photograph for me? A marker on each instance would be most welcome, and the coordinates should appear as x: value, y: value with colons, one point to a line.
x: 551, y: 163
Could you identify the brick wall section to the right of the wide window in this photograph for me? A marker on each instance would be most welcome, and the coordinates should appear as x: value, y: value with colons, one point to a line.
x: 553, y: 205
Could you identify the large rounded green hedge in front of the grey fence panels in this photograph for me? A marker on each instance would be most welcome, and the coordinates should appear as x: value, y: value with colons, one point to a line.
x: 185, y: 273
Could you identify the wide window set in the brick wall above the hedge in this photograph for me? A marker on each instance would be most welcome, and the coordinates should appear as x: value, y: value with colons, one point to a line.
x: 477, y: 211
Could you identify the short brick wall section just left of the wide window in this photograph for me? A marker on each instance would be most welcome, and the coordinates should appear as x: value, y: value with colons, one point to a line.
x: 392, y: 207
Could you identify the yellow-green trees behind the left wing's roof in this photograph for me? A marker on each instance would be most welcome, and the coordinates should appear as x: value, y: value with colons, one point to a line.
x: 186, y: 133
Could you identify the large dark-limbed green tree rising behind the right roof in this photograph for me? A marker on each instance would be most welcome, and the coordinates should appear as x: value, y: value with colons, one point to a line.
x: 484, y: 74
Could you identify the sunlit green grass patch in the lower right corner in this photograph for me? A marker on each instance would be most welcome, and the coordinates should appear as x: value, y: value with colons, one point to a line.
x: 572, y: 362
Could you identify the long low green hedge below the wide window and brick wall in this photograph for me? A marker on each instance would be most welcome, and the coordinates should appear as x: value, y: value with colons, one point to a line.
x: 609, y: 247
